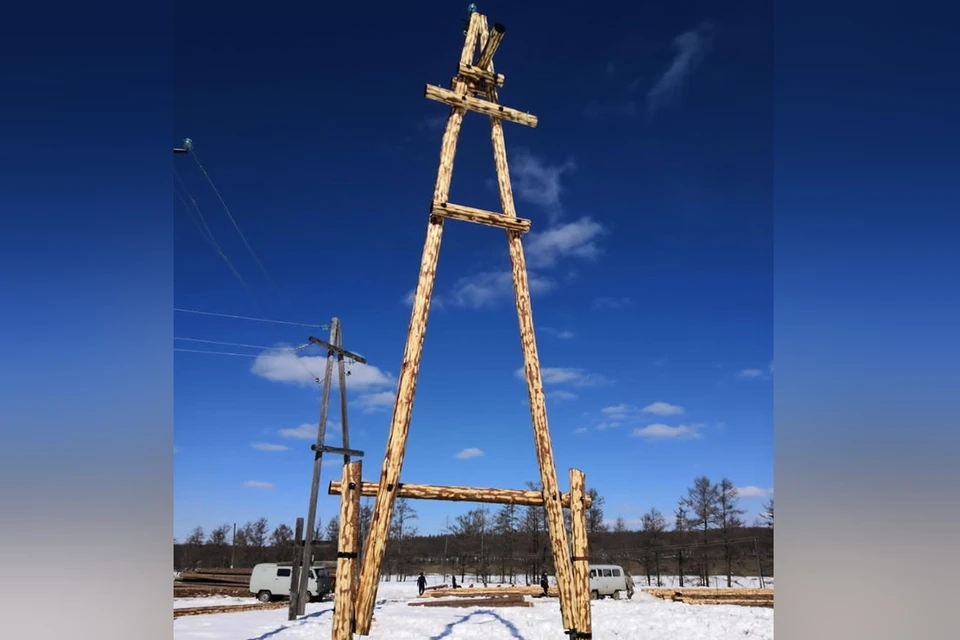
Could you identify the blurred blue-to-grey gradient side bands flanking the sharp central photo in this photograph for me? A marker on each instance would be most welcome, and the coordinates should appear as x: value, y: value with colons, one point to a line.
x: 865, y: 320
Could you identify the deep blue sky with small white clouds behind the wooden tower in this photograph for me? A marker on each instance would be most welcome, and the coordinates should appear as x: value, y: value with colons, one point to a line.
x: 649, y: 181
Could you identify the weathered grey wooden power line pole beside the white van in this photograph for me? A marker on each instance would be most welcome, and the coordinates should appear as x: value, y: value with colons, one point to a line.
x: 334, y: 347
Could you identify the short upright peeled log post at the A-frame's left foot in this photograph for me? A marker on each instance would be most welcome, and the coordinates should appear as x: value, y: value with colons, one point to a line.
x: 348, y: 545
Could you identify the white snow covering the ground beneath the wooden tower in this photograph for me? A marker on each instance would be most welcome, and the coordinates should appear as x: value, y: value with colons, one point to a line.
x: 643, y: 617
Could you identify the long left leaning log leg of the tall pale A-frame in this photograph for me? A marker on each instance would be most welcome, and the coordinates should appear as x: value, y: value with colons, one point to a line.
x: 410, y: 366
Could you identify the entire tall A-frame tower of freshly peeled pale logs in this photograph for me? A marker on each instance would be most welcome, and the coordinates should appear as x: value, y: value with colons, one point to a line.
x: 474, y: 88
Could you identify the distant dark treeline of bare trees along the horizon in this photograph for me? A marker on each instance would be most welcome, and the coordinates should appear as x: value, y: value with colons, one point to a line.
x: 705, y: 537
